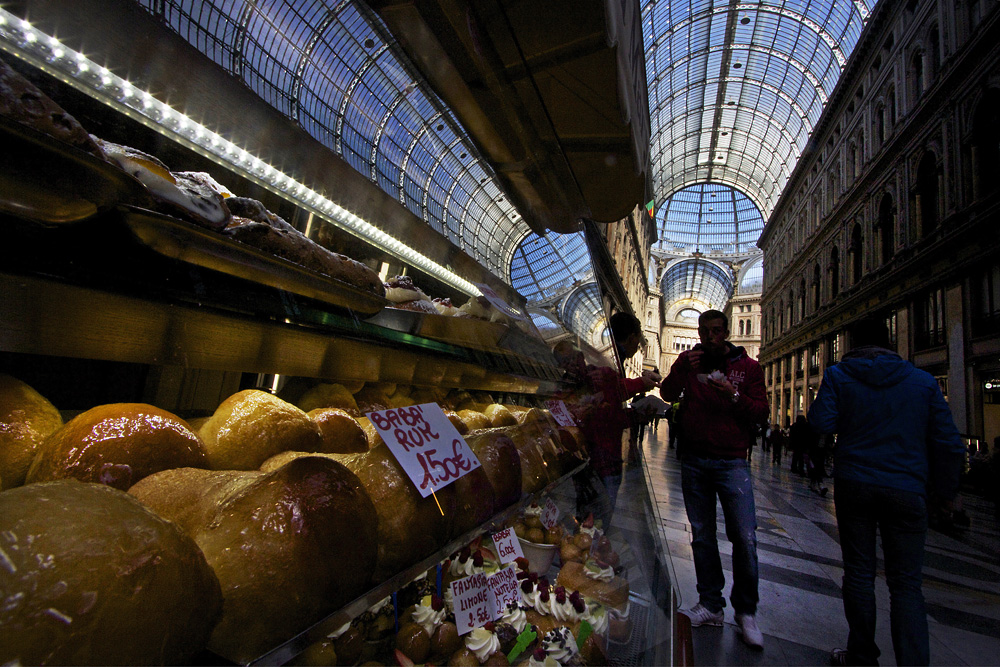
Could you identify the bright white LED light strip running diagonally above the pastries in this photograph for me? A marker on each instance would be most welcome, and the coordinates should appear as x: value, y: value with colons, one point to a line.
x: 45, y: 52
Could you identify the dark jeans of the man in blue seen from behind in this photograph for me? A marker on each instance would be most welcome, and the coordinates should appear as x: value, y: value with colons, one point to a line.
x: 901, y: 519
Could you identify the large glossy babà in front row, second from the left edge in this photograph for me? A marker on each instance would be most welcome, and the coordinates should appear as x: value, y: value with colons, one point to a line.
x: 288, y: 547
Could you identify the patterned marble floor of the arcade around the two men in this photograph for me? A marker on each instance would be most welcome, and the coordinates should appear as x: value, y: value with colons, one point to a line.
x: 801, y: 612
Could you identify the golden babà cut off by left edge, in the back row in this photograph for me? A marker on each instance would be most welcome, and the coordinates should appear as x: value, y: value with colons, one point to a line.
x: 26, y: 419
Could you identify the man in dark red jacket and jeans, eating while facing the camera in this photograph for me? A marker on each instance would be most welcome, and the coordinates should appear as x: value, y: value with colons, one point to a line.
x: 724, y: 397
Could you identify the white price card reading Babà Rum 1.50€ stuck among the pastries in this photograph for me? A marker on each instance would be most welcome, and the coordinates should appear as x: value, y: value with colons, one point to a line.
x: 426, y: 444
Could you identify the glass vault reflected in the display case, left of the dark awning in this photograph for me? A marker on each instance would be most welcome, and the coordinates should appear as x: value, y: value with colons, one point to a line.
x: 331, y: 66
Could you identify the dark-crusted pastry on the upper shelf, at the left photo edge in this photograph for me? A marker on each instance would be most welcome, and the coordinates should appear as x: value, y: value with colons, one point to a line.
x: 22, y: 102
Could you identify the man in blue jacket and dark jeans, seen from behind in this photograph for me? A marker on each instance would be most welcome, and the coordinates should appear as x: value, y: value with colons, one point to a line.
x: 895, y: 437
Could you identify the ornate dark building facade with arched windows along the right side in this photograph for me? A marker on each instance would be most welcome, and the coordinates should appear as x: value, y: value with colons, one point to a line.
x: 892, y: 211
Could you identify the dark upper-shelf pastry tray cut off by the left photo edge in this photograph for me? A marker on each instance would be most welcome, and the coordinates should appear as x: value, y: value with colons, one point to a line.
x: 47, y: 181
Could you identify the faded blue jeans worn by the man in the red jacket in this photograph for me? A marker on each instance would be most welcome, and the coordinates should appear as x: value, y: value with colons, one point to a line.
x: 729, y: 479
